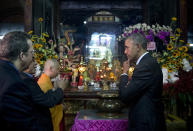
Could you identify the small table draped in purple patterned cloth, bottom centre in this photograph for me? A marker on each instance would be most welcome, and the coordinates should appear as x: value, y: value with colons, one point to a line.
x: 92, y: 120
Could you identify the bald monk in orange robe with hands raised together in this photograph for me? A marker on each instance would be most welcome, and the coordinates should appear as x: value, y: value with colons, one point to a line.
x: 51, y: 70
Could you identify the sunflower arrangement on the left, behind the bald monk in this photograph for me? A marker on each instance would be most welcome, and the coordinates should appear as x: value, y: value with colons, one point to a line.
x: 43, y: 47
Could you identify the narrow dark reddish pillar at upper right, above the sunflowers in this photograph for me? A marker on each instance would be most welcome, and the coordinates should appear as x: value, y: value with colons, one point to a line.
x: 183, y: 18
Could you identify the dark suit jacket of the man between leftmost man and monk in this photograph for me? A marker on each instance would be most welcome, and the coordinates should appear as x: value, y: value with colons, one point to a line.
x: 42, y: 102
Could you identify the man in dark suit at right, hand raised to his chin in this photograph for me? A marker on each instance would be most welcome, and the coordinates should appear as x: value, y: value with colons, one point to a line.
x: 143, y: 92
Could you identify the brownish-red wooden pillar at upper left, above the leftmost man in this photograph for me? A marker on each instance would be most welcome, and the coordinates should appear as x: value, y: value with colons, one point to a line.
x: 28, y: 15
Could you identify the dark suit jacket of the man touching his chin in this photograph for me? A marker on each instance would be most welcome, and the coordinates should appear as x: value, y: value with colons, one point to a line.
x: 144, y: 93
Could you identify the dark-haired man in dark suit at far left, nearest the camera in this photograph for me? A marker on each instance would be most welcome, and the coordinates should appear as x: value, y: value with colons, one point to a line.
x: 16, y: 108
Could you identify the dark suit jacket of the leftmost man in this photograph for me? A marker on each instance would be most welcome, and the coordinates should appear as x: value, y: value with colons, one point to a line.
x: 16, y: 108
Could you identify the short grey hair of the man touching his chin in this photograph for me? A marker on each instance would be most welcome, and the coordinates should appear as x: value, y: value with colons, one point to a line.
x: 138, y: 38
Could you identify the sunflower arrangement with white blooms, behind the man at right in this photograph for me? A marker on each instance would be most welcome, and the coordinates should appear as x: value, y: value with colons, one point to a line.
x: 175, y: 56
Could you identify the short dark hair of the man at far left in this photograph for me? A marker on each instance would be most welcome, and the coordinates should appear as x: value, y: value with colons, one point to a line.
x: 13, y: 43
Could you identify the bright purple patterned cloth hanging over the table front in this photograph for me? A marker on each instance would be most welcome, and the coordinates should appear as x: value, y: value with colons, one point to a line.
x: 100, y: 125
